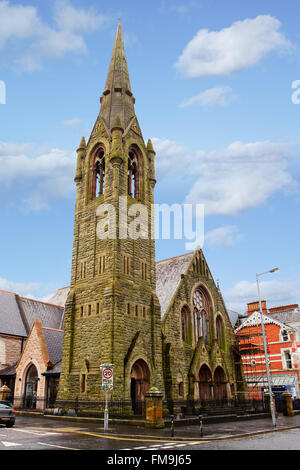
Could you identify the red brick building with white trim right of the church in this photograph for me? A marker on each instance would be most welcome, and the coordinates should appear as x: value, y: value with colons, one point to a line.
x: 283, y: 346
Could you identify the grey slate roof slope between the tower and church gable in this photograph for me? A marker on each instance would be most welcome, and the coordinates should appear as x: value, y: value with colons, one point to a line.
x: 168, y: 275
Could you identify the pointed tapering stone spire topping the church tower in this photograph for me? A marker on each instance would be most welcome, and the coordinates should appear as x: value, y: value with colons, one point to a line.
x: 117, y: 98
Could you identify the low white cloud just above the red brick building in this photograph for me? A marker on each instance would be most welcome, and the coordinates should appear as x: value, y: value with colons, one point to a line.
x: 276, y: 293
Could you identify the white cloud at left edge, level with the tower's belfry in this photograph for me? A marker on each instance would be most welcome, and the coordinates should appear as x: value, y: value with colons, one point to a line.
x: 50, y: 174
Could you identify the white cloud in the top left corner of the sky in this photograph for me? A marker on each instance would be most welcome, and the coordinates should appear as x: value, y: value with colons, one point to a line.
x: 23, y: 22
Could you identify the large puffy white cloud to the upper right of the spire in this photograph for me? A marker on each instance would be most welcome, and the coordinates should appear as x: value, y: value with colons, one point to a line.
x: 231, y: 49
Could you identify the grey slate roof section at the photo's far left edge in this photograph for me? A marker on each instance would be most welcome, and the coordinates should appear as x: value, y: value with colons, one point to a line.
x: 11, y: 321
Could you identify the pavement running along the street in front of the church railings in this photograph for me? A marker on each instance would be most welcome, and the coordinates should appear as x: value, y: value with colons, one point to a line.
x: 218, y: 428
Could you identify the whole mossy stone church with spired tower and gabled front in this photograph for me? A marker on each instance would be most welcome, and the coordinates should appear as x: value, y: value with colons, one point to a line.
x: 161, y: 324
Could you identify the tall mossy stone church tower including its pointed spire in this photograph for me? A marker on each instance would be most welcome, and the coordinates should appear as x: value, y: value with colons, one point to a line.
x: 112, y: 312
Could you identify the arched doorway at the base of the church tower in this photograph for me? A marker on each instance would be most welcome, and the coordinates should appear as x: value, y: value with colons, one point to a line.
x: 139, y: 385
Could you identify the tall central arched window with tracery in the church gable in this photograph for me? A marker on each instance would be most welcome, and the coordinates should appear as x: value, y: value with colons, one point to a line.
x: 202, y: 307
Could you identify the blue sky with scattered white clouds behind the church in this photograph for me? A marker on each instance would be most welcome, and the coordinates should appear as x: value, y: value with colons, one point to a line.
x: 213, y: 88
